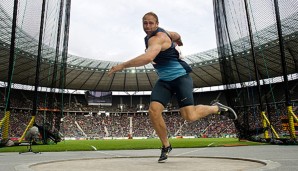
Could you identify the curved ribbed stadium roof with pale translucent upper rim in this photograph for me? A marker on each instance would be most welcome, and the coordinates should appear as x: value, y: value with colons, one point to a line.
x: 89, y: 74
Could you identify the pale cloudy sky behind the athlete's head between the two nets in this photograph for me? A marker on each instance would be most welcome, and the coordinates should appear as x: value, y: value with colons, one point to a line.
x: 111, y: 30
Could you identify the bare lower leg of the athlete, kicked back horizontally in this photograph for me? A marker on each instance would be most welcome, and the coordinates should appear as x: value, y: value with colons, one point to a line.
x: 193, y: 113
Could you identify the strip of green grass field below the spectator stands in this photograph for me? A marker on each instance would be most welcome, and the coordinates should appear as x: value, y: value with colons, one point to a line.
x: 129, y: 144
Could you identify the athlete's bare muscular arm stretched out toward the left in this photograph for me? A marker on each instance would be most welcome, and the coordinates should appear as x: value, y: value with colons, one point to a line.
x: 154, y: 47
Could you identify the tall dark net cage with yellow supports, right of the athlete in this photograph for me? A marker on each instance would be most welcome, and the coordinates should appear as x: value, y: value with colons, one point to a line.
x: 258, y: 53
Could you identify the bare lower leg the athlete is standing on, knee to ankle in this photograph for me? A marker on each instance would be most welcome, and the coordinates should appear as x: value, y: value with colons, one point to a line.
x: 158, y: 123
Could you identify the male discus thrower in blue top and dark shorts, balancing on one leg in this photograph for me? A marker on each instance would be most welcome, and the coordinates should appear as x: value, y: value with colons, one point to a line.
x: 174, y: 78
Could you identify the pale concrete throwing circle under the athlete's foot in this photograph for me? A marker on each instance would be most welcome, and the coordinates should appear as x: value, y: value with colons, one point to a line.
x: 150, y: 163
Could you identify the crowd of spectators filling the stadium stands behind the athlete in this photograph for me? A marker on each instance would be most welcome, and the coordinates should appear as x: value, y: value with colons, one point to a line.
x: 80, y: 120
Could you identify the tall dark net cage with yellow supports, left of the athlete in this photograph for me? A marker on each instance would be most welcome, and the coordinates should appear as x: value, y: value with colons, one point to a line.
x: 33, y: 38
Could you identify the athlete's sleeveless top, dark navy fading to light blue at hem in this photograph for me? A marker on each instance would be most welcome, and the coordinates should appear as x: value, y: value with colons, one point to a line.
x: 167, y: 63
